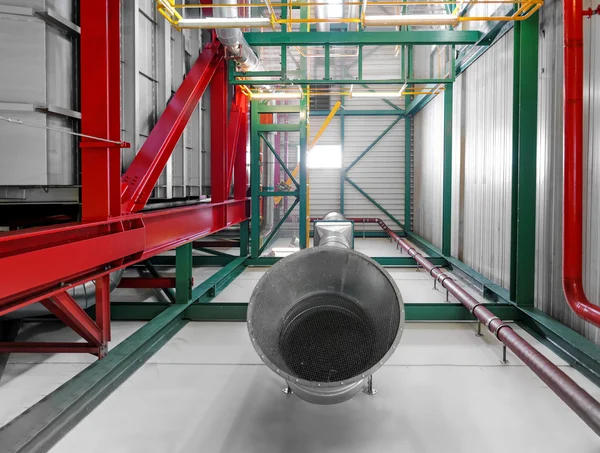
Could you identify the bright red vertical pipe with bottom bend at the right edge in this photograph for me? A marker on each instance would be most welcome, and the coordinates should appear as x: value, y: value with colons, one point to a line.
x: 573, y: 166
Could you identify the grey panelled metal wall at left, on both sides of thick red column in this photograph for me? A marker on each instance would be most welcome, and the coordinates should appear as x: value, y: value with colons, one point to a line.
x: 41, y: 87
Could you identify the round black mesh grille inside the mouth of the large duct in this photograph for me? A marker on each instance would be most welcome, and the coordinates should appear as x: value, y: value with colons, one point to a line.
x: 327, y: 337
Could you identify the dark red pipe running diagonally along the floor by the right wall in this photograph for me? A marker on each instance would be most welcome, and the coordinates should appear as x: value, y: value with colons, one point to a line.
x: 582, y: 403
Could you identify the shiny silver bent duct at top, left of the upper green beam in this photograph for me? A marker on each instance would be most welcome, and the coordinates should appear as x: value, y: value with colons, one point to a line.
x: 233, y: 38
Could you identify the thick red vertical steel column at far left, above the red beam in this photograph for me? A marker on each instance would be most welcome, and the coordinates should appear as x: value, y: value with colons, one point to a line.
x: 100, y: 108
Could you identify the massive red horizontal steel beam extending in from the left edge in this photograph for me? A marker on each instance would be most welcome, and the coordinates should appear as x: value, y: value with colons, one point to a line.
x: 38, y: 263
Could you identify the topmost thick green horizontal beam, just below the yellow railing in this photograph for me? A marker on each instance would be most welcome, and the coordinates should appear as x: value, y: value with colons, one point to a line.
x: 378, y: 38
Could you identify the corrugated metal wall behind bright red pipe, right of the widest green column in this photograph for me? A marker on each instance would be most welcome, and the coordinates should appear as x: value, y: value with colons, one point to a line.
x: 549, y: 294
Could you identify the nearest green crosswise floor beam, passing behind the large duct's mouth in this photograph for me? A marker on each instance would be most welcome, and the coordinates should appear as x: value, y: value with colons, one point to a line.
x: 236, y: 311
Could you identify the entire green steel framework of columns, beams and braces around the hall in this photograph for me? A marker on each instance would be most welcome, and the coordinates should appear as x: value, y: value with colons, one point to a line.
x: 40, y: 427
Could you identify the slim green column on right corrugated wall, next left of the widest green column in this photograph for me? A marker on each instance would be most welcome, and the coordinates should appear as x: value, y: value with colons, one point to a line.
x: 447, y: 184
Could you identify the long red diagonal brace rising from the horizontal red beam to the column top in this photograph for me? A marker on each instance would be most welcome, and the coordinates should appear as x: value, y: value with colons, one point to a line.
x: 143, y: 173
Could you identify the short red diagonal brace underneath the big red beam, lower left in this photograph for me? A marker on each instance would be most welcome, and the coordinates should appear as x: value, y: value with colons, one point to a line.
x: 65, y: 308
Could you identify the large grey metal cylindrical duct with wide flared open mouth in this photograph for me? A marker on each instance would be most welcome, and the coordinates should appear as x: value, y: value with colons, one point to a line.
x: 325, y: 319
